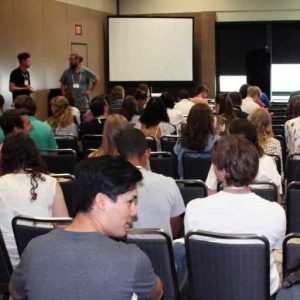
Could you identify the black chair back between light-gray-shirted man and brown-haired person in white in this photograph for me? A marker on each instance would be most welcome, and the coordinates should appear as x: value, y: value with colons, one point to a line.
x: 191, y: 189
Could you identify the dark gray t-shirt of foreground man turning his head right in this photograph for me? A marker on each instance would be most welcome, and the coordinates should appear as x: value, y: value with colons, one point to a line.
x: 72, y: 265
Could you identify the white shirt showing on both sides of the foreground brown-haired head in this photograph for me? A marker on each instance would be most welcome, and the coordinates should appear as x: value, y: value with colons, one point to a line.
x: 267, y: 171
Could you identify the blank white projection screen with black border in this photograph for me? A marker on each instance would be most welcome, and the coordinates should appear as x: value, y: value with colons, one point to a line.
x: 150, y: 49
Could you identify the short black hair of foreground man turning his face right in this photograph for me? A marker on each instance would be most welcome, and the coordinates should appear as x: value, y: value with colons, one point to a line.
x: 110, y: 175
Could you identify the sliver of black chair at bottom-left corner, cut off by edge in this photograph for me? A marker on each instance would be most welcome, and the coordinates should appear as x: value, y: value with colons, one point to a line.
x: 5, y: 269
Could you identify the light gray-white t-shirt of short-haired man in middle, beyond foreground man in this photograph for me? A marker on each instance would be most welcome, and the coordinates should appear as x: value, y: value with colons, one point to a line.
x: 159, y: 200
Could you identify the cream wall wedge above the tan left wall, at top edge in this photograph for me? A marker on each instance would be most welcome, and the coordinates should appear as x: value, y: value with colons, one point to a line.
x: 108, y: 6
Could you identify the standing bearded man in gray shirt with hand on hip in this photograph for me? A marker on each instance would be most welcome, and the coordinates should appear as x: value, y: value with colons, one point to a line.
x: 80, y: 80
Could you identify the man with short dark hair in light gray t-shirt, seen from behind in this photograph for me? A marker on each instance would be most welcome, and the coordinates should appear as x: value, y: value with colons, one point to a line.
x: 163, y: 210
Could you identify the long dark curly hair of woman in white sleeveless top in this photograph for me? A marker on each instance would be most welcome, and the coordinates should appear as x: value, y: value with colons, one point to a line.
x: 19, y: 153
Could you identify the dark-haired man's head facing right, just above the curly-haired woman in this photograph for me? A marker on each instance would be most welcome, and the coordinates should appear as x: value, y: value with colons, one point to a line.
x: 15, y: 120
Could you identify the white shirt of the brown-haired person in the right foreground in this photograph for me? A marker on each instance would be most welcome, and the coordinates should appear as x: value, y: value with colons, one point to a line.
x: 237, y: 214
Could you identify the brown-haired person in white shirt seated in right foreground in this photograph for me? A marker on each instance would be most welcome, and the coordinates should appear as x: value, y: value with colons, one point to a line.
x: 237, y: 210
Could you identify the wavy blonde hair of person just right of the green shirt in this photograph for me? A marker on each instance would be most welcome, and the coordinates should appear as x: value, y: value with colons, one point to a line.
x: 62, y: 116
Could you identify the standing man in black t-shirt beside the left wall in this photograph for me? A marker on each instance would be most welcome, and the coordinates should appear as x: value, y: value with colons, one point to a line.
x: 19, y: 81
